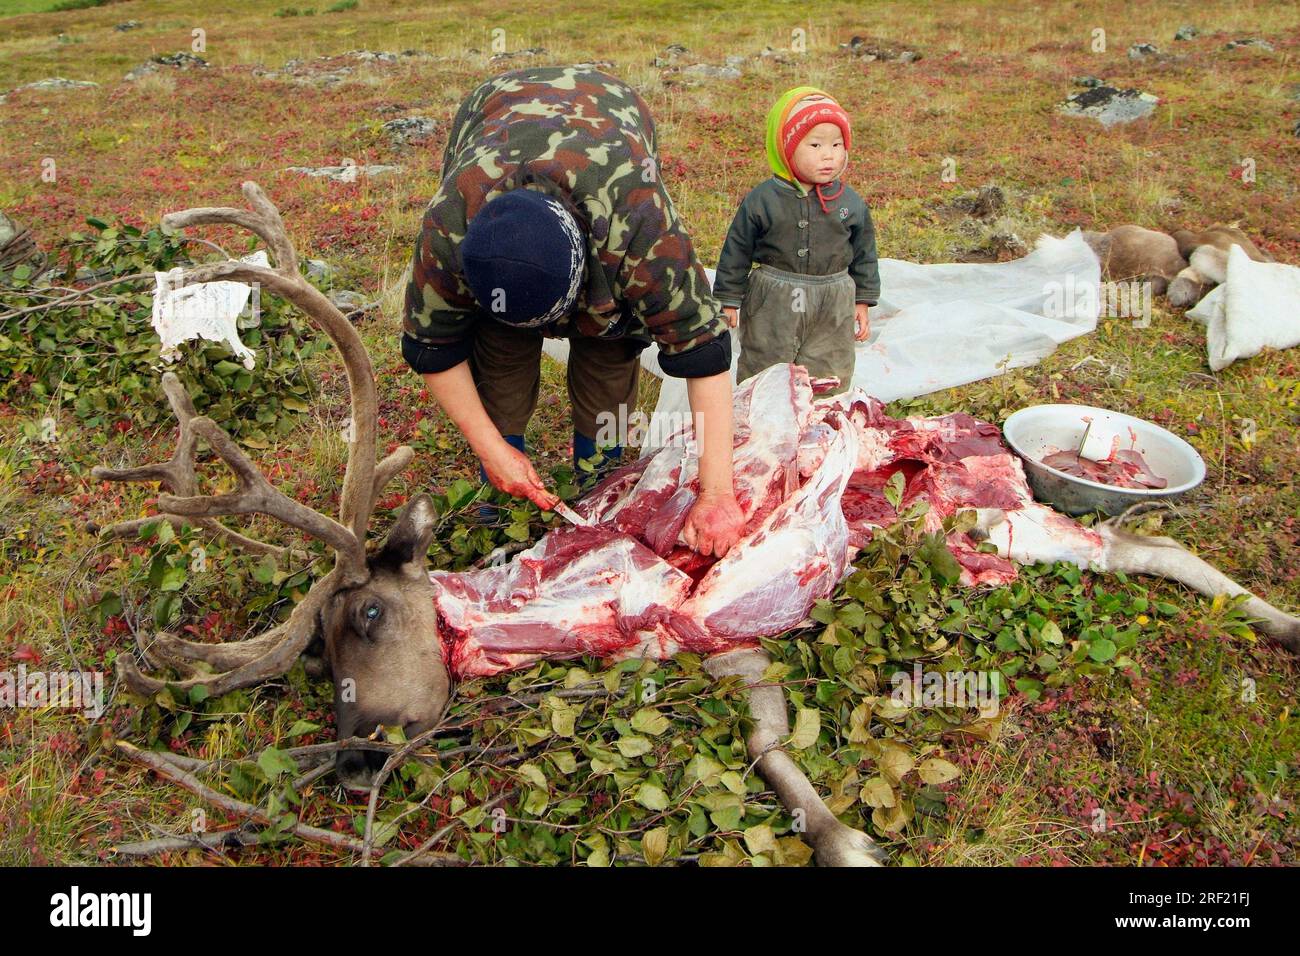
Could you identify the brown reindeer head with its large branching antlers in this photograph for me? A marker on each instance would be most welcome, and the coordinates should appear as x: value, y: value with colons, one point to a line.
x: 374, y: 615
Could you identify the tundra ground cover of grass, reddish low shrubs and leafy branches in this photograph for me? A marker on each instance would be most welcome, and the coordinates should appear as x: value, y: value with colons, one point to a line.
x: 1141, y: 723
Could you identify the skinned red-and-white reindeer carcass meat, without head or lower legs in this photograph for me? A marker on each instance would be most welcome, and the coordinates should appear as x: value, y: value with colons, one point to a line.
x: 812, y: 477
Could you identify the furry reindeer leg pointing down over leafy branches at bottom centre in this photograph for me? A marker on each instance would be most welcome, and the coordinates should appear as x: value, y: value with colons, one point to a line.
x: 834, y: 843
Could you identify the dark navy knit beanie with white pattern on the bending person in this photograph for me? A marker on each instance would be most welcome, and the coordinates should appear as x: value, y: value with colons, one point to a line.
x: 523, y: 258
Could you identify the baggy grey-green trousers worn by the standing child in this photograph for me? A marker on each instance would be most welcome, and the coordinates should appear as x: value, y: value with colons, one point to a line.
x: 808, y: 321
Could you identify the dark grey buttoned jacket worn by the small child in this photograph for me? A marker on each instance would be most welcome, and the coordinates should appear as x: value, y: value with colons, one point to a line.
x: 777, y: 226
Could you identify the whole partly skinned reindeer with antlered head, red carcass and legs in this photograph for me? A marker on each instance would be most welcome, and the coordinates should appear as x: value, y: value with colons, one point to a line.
x: 396, y: 638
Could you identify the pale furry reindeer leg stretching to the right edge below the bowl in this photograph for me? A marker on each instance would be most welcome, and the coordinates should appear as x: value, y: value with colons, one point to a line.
x: 1164, y: 557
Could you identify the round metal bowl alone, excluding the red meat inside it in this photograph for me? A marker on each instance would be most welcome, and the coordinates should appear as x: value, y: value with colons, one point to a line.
x: 1041, y: 430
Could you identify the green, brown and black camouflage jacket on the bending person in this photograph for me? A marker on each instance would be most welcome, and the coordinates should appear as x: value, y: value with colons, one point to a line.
x: 588, y: 140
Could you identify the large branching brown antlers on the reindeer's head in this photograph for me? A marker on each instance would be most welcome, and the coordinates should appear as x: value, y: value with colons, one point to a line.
x: 257, y: 660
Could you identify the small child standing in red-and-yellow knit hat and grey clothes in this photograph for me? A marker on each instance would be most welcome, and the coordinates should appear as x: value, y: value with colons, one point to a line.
x: 813, y: 243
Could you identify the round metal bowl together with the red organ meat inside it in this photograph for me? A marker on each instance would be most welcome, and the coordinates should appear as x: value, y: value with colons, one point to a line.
x: 1143, y: 461
